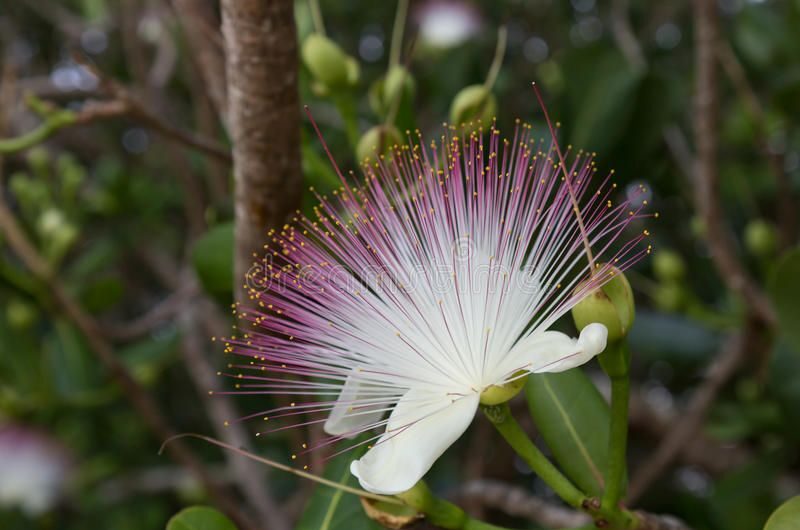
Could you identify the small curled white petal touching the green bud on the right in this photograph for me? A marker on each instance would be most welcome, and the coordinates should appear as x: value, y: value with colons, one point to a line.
x: 552, y: 351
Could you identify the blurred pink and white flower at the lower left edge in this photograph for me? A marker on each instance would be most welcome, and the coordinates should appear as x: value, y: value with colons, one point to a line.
x: 33, y: 469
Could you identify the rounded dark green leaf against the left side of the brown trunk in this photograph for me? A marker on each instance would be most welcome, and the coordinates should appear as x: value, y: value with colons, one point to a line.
x: 212, y: 257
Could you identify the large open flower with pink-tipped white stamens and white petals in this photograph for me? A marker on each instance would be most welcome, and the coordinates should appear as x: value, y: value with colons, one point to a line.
x: 434, y: 280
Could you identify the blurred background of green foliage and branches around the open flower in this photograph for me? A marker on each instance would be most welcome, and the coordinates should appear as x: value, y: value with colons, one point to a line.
x: 117, y: 267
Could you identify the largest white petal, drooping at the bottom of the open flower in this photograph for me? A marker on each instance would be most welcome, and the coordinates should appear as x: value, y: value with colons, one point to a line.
x: 421, y: 427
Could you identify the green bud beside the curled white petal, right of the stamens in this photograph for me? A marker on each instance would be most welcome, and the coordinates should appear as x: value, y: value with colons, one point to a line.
x: 611, y: 305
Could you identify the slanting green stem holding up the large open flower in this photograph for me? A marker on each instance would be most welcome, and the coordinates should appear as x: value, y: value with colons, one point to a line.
x: 507, y: 426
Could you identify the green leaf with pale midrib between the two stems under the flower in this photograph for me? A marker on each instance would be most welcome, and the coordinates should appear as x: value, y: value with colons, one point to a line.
x: 572, y: 418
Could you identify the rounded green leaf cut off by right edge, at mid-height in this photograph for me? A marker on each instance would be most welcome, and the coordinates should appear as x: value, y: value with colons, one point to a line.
x: 784, y: 289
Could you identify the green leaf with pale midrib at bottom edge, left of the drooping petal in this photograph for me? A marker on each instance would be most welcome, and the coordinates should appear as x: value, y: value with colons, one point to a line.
x: 333, y: 509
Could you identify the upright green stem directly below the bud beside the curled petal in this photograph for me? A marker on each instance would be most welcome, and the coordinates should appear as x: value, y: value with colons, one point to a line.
x: 617, y: 441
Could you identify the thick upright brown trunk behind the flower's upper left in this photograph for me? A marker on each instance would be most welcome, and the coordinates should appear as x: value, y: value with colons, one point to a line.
x: 264, y: 121
